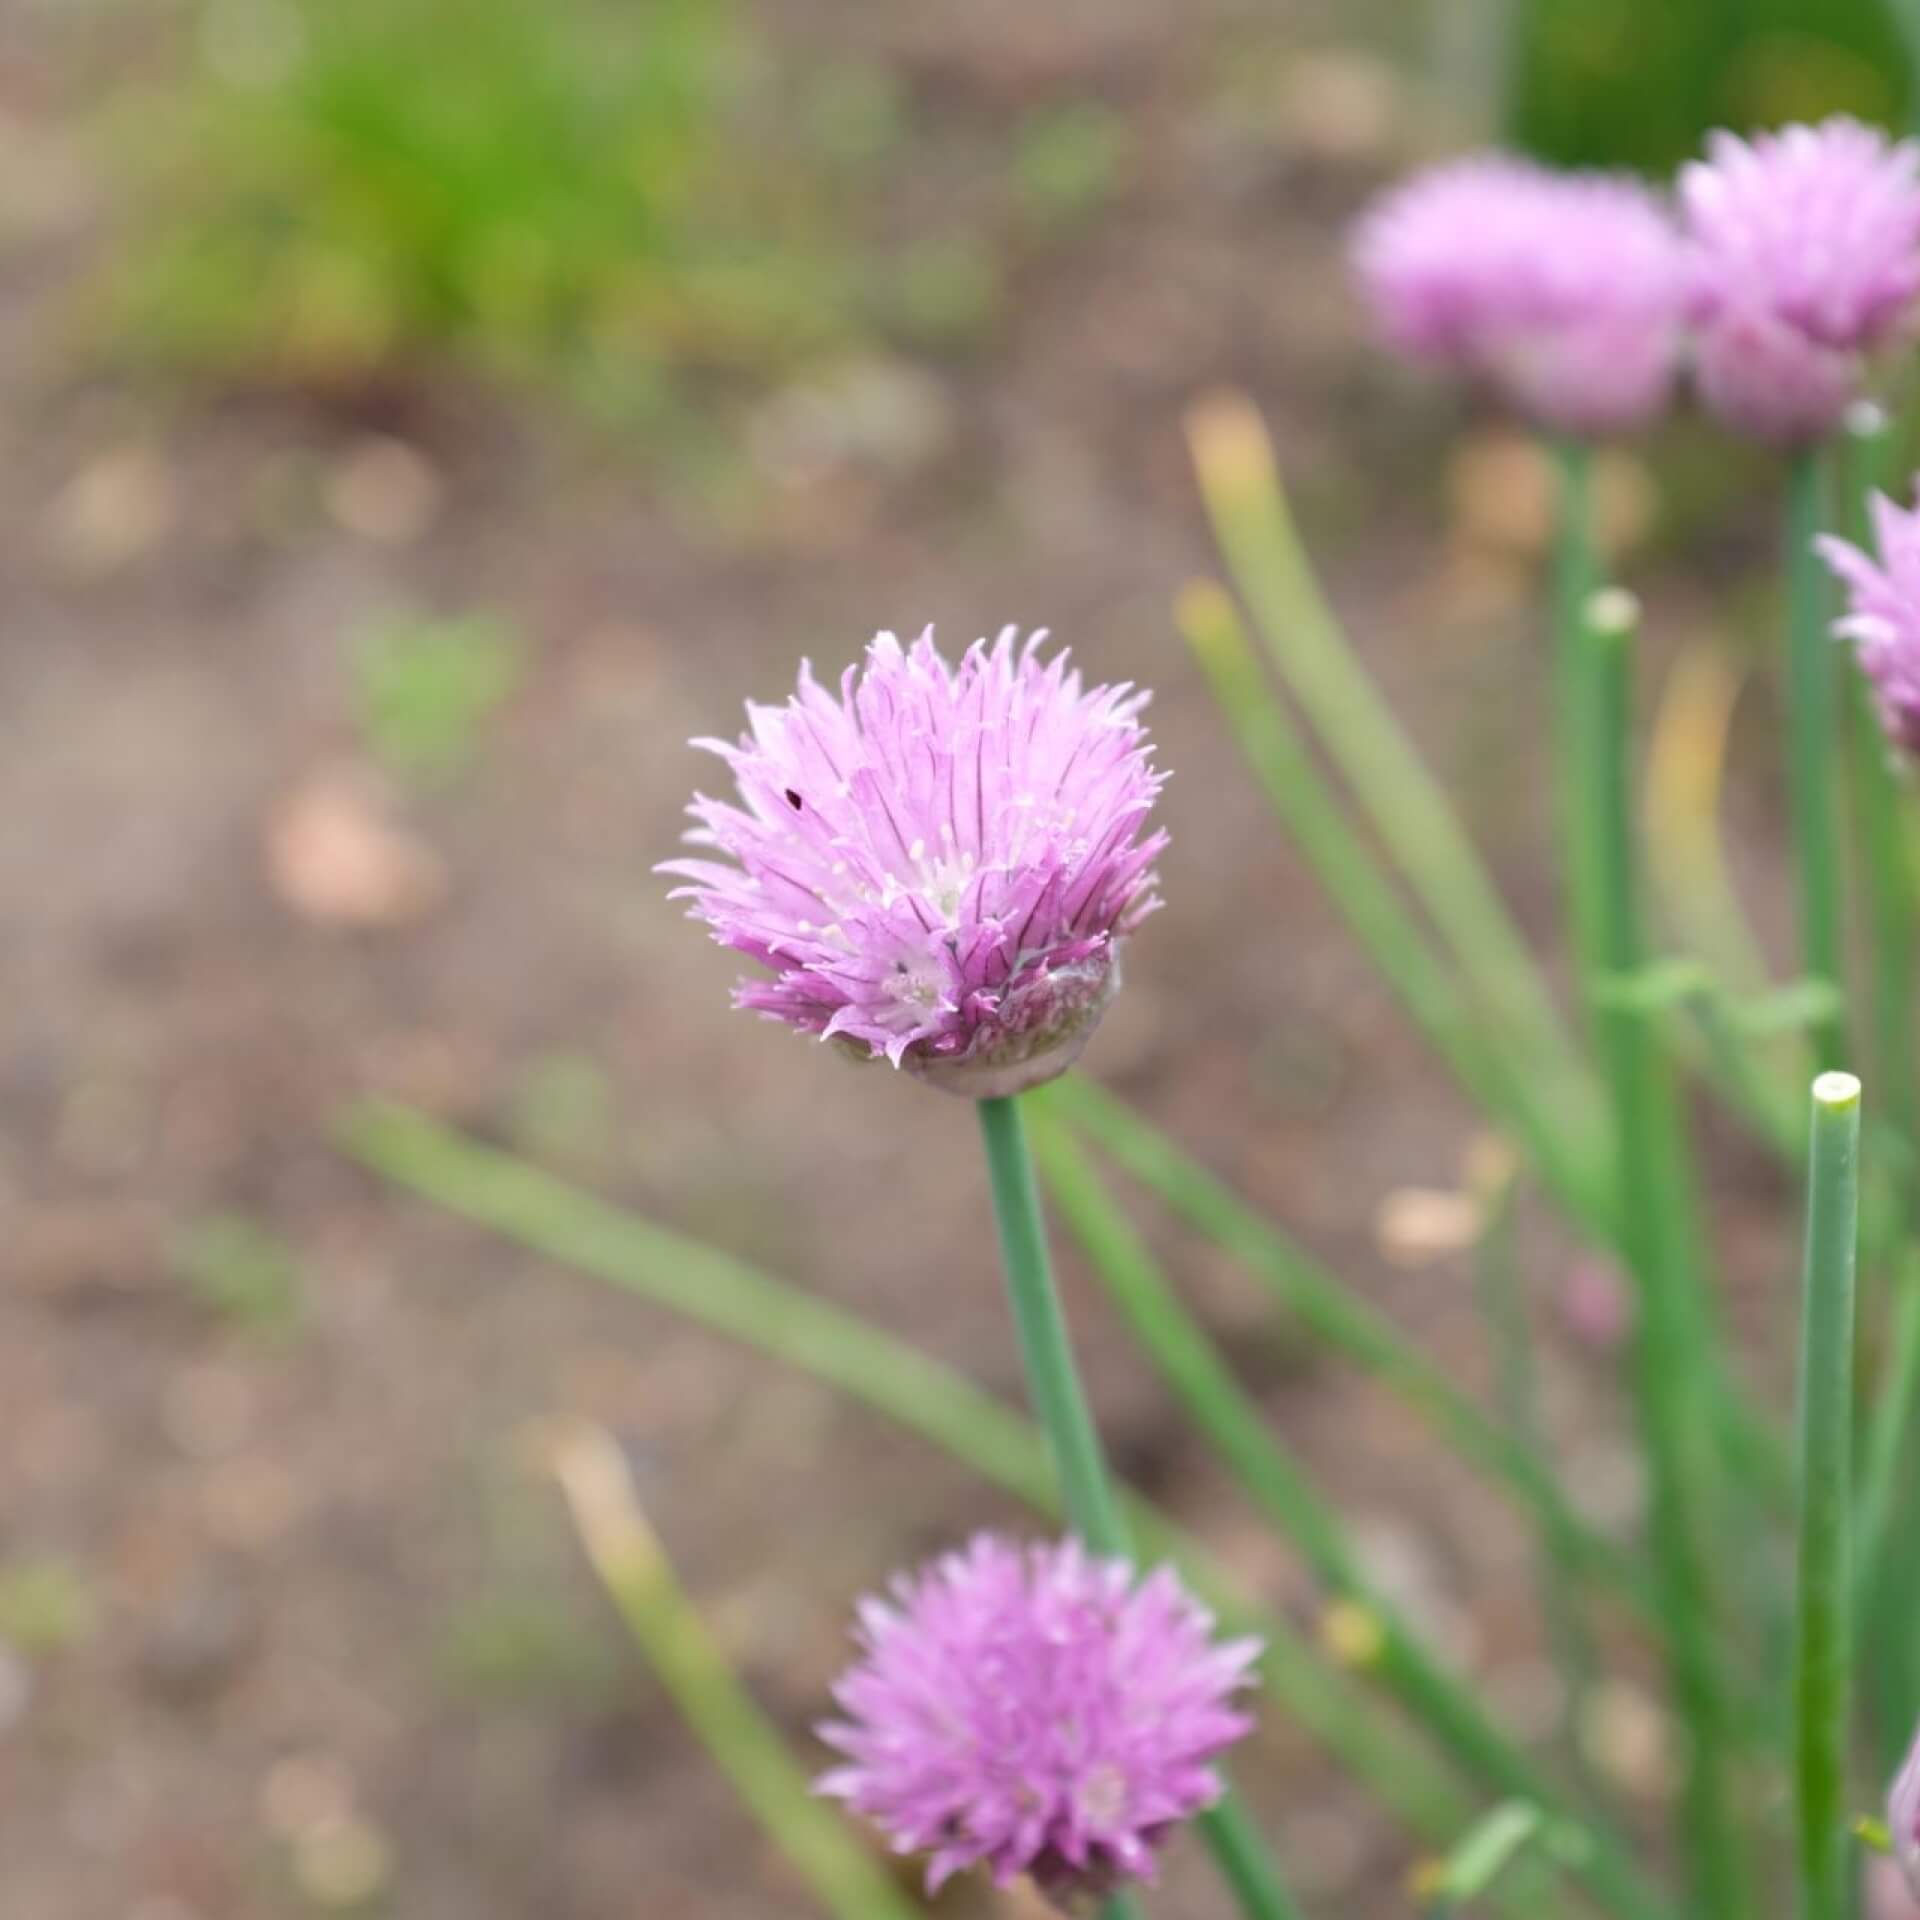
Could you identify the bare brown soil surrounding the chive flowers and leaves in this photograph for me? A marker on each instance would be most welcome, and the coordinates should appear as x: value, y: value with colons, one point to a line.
x: 291, y: 1545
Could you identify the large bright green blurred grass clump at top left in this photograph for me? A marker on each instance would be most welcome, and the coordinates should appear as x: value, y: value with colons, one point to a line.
x: 341, y: 189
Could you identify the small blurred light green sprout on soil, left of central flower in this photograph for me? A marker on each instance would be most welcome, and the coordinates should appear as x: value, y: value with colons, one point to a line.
x: 427, y: 688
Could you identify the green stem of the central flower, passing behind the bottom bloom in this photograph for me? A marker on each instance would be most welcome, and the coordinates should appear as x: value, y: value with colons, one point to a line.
x: 1074, y: 1441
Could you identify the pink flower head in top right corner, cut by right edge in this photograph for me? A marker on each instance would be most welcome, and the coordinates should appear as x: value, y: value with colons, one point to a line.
x: 1806, y: 258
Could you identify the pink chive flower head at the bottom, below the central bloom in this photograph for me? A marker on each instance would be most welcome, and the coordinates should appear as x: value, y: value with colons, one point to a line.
x: 1036, y: 1712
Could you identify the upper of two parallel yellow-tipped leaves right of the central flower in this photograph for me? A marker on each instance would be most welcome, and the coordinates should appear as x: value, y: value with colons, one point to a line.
x: 1420, y: 828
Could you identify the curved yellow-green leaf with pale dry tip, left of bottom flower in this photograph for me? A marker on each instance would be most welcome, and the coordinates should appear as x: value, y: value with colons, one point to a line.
x: 686, y: 1658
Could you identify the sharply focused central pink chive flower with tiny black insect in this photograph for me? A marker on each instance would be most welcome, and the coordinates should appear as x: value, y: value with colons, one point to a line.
x: 940, y: 863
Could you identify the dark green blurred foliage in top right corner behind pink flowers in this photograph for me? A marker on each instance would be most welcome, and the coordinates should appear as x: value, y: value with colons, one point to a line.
x: 1639, y: 82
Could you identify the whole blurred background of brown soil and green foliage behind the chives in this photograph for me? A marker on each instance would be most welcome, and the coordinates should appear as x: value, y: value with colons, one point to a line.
x: 421, y: 418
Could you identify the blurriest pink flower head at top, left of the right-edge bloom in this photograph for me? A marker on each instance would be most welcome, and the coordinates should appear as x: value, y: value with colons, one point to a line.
x: 1562, y: 291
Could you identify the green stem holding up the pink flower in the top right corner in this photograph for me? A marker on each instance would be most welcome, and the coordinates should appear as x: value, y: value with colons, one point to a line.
x: 1813, y: 734
